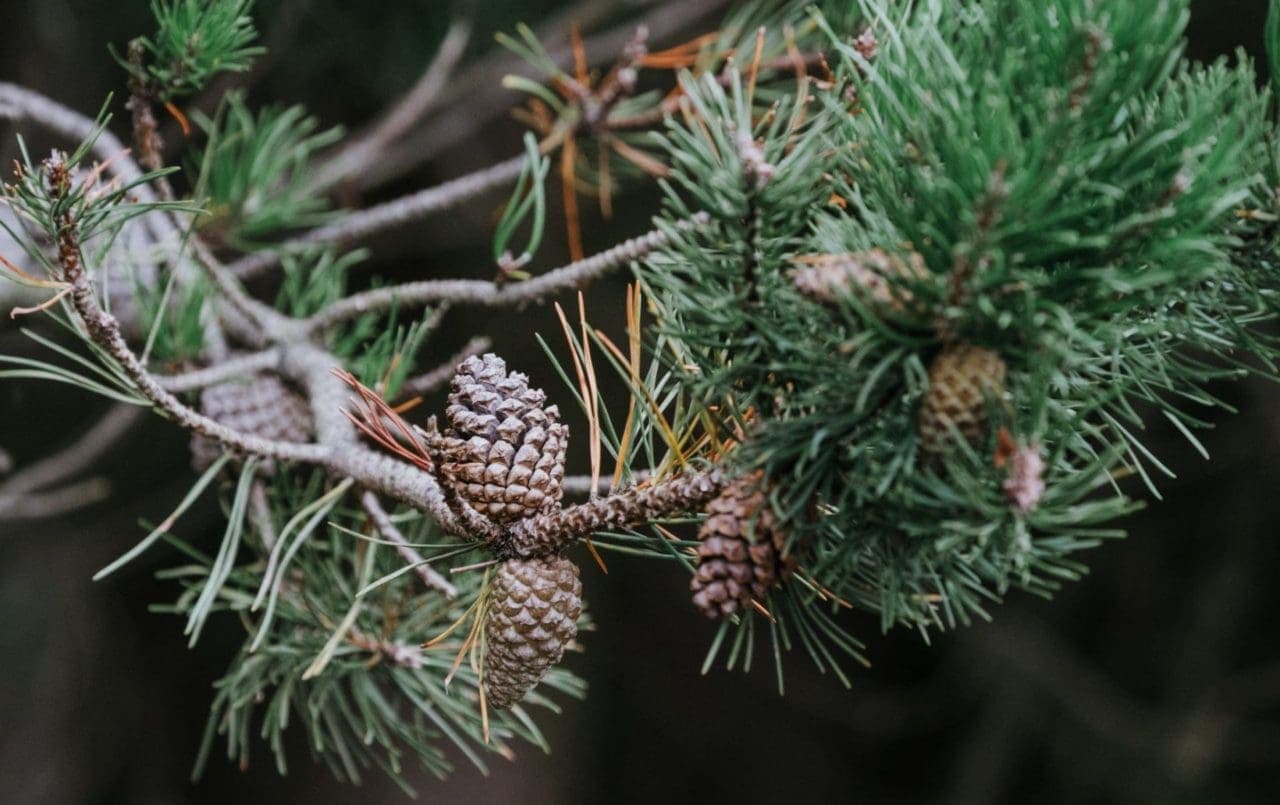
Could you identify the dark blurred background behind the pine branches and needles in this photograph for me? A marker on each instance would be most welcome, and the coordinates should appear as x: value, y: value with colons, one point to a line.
x: 1155, y: 680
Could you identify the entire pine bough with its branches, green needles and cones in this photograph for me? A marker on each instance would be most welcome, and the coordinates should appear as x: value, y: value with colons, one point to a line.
x: 918, y: 269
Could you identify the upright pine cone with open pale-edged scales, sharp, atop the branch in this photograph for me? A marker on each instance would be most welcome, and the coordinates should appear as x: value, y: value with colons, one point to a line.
x: 504, y: 452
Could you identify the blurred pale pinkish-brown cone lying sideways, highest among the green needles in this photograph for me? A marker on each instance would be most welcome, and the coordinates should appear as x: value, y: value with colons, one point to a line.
x: 871, y: 275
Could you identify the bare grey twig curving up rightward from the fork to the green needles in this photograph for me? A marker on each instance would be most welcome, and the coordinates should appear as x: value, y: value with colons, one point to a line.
x: 493, y: 295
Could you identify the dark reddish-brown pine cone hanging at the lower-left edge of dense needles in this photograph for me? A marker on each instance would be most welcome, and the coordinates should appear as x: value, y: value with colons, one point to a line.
x: 740, y: 552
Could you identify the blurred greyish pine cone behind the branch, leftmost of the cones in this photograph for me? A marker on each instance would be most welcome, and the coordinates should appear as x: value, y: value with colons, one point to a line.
x: 263, y: 408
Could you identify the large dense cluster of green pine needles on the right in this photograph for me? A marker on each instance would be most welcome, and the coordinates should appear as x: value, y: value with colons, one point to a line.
x: 1073, y: 190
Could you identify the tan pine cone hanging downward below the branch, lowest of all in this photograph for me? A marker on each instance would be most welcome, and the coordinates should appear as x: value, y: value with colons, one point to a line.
x: 532, y: 619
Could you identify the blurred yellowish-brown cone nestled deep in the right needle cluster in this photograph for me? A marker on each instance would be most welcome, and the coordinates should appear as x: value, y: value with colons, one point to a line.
x: 961, y: 381
